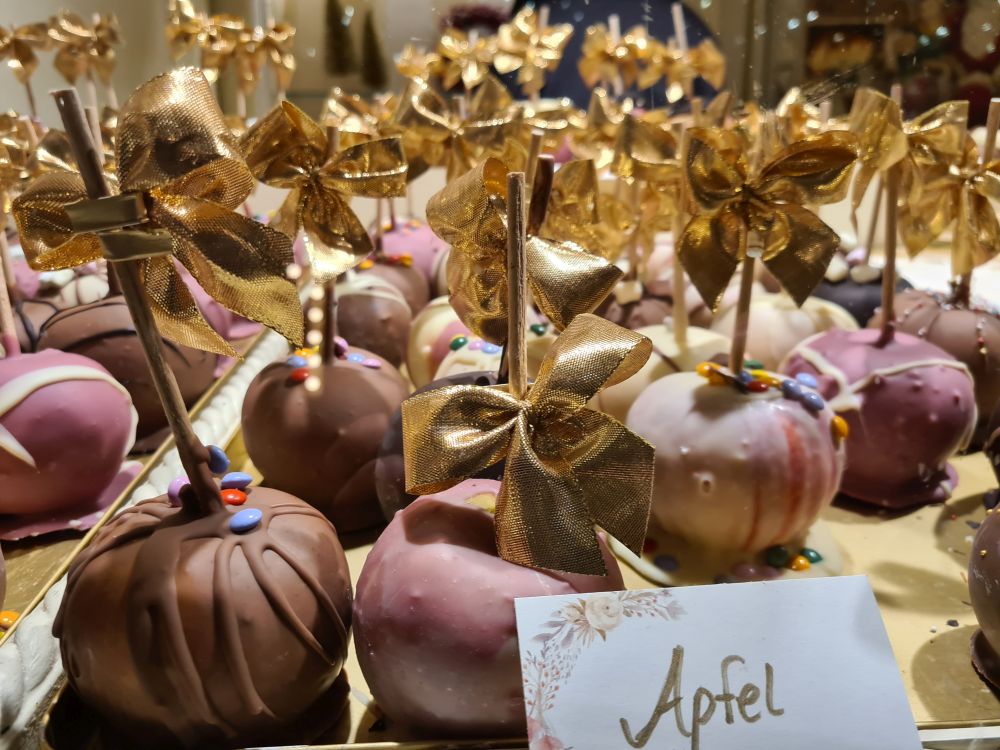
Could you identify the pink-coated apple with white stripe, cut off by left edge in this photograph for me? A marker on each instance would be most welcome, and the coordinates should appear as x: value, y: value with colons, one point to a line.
x: 77, y: 431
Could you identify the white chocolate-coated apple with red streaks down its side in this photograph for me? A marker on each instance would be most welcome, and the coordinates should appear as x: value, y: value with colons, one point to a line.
x: 736, y: 471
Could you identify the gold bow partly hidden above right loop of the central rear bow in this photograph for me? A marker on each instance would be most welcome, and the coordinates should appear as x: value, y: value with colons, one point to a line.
x: 579, y: 212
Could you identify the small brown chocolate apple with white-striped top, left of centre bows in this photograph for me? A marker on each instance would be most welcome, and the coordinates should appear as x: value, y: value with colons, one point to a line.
x: 370, y: 318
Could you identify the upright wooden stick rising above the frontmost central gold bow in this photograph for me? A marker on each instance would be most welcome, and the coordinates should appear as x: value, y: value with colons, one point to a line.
x: 516, y: 286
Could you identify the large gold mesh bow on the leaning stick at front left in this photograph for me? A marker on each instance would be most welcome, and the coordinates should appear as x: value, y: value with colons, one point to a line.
x: 181, y: 176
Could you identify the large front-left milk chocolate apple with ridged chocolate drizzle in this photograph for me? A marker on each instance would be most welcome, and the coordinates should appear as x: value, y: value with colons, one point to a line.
x: 181, y: 633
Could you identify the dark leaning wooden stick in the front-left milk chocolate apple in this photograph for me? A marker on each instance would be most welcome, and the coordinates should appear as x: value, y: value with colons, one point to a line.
x: 203, y: 496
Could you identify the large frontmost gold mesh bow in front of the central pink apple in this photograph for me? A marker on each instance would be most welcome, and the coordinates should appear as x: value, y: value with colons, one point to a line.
x: 568, y: 468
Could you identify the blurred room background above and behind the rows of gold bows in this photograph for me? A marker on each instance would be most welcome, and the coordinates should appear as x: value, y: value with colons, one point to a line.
x: 937, y: 49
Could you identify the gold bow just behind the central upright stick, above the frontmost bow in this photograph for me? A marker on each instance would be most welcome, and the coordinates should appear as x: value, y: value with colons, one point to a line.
x: 470, y: 214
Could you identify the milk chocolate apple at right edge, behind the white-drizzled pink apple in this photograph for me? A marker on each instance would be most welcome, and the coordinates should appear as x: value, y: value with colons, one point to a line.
x: 957, y: 331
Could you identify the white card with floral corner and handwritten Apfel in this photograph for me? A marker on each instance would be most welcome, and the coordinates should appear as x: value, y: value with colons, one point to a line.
x: 778, y: 665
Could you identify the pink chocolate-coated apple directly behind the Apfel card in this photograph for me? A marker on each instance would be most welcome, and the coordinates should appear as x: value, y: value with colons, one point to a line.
x: 434, y: 617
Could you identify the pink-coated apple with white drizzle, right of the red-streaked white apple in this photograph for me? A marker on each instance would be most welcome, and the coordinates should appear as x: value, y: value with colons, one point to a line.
x: 909, y: 406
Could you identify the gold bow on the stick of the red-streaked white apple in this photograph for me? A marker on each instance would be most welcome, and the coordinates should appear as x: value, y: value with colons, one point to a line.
x: 796, y: 245
